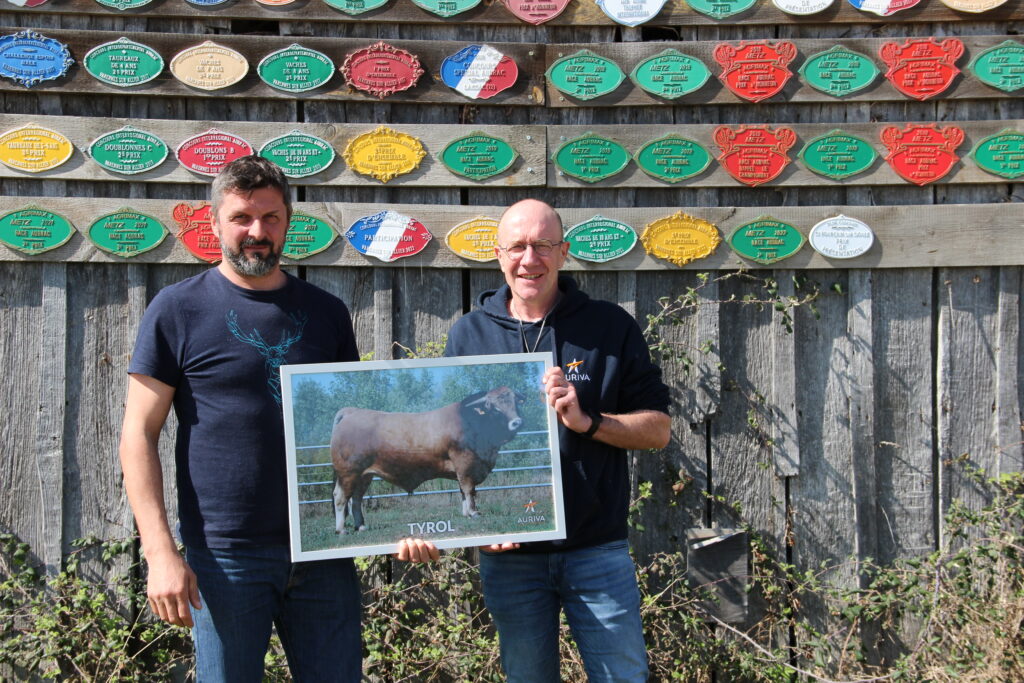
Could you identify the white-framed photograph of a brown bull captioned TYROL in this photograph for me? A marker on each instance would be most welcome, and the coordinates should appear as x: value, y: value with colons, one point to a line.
x: 461, y: 452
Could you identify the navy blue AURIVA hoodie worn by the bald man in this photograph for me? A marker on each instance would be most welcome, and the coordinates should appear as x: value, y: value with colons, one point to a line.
x: 604, y: 354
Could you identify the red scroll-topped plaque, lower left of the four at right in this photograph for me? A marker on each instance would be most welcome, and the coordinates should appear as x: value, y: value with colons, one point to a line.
x: 754, y: 155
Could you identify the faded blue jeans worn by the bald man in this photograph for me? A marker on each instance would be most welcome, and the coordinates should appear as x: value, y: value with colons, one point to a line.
x: 598, y: 589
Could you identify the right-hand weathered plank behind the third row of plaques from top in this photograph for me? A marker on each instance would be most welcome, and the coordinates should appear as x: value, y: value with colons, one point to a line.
x: 796, y: 175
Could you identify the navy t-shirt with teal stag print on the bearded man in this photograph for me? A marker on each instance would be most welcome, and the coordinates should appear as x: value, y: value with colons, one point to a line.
x: 222, y: 347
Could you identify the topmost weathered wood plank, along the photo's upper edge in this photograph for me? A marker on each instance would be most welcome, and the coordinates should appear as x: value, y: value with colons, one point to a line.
x: 675, y: 13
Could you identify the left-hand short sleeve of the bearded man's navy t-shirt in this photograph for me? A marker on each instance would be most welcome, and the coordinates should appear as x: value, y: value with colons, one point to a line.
x: 159, y: 350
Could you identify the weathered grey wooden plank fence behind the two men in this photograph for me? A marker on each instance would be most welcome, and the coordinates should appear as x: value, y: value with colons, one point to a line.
x: 836, y: 440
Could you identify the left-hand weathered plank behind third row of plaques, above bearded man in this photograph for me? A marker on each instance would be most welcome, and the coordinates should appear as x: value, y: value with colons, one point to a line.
x: 529, y: 142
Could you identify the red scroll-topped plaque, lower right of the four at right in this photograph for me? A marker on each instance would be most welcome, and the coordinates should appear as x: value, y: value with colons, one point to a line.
x: 922, y: 153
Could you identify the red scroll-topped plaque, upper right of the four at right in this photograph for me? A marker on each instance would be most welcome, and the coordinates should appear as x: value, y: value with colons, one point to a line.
x: 922, y: 68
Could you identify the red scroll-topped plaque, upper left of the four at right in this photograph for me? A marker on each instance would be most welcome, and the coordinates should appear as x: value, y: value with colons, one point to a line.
x: 755, y: 71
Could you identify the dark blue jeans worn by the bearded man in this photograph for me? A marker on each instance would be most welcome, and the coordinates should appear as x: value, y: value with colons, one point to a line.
x: 315, y: 606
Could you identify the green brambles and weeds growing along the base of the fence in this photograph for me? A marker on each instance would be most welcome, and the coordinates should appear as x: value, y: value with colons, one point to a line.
x: 966, y: 602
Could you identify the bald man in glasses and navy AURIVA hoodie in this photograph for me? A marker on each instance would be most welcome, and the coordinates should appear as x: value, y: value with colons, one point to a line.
x: 609, y: 398
